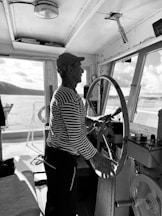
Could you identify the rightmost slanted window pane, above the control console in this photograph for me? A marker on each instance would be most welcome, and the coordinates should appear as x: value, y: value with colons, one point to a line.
x: 150, y: 97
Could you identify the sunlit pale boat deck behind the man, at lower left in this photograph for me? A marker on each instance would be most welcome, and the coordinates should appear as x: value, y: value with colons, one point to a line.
x: 25, y: 159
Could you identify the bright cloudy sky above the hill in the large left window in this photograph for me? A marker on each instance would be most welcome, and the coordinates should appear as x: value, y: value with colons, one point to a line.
x: 22, y: 73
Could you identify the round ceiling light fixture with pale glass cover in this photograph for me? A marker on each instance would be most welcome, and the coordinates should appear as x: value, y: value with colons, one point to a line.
x: 46, y: 9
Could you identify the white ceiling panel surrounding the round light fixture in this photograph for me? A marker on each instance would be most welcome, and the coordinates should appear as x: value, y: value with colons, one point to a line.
x: 26, y: 24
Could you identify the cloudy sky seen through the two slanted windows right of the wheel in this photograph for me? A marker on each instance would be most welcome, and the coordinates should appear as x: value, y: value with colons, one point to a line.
x: 152, y: 76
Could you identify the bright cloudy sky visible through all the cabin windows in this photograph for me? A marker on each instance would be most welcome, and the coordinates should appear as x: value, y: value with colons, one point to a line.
x: 29, y: 74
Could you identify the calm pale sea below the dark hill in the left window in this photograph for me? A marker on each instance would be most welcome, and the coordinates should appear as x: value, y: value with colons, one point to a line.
x: 24, y: 113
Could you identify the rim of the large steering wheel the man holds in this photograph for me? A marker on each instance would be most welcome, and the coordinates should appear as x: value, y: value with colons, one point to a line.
x: 122, y: 157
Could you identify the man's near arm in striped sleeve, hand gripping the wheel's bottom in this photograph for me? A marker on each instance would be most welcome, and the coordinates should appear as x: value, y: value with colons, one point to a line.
x: 79, y: 141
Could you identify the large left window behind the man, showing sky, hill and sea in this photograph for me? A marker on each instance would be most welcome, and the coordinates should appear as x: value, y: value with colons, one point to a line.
x: 22, y: 93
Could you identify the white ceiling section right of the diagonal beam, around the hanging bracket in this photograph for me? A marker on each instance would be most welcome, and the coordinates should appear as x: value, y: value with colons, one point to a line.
x: 99, y: 31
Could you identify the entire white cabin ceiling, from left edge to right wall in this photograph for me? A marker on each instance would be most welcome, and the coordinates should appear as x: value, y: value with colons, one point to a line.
x: 80, y: 26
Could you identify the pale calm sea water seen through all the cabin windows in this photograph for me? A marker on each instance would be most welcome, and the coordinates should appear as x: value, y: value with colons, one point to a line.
x: 24, y: 113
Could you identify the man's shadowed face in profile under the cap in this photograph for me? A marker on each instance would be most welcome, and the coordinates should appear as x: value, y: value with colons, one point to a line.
x: 77, y: 72
